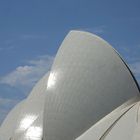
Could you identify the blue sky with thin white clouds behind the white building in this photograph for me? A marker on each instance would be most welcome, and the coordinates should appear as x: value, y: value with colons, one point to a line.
x: 31, y: 32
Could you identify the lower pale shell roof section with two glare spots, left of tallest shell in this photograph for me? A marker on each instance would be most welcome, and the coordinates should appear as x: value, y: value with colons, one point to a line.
x: 27, y: 116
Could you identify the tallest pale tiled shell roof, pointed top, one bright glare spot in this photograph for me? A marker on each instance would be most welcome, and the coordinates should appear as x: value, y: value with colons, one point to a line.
x: 87, y: 81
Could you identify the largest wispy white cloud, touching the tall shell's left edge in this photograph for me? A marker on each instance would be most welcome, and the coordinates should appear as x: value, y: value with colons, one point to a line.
x: 24, y: 77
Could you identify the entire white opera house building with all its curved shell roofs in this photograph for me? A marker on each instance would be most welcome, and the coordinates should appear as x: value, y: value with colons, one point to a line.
x: 89, y: 94
